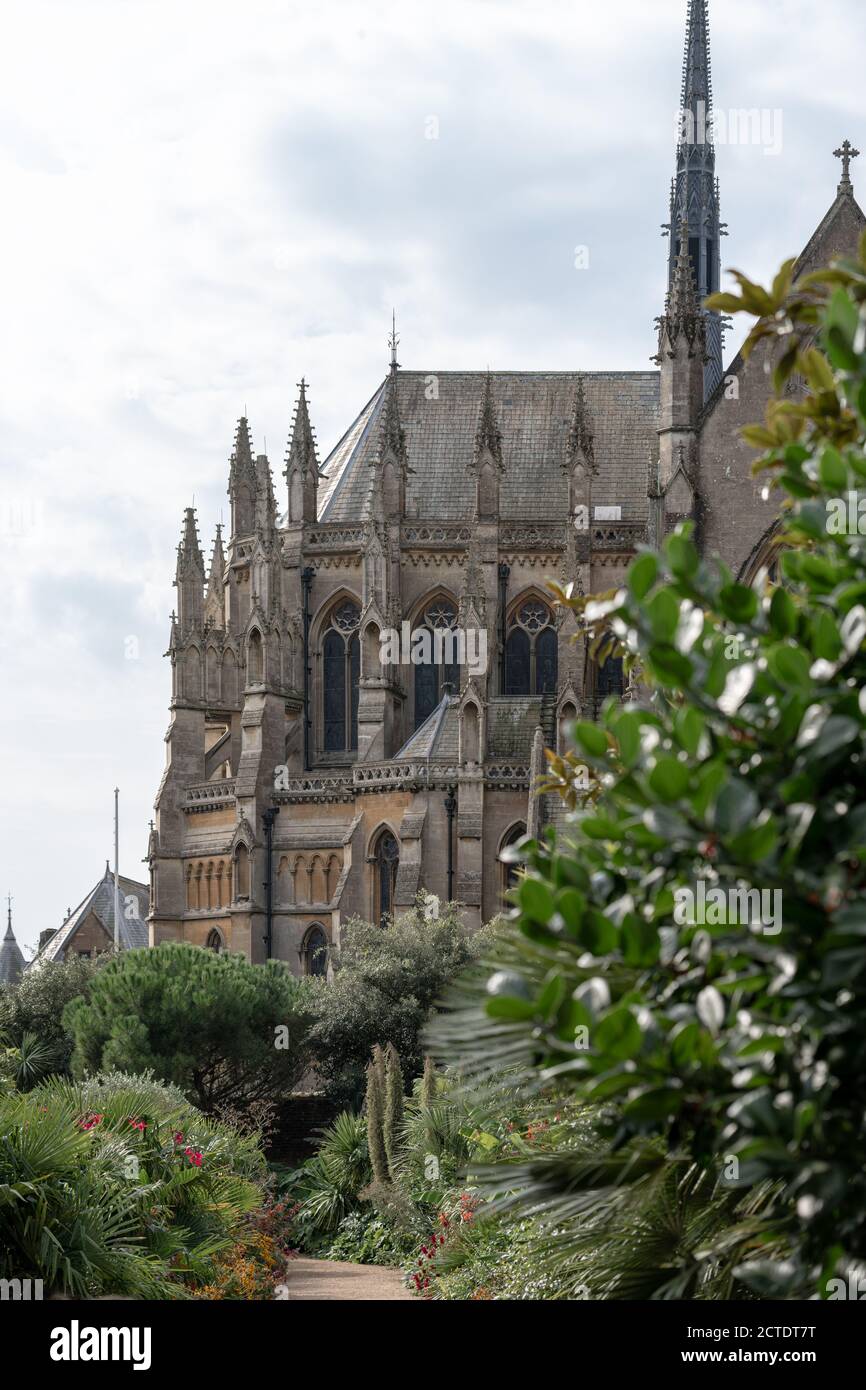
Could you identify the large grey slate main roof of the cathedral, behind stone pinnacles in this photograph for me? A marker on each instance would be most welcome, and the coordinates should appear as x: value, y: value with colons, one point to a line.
x: 534, y: 412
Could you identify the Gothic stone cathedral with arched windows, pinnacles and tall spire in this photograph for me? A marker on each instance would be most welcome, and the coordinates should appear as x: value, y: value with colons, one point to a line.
x: 334, y: 750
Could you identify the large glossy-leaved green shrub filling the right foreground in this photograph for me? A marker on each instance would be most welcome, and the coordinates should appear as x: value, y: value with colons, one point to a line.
x: 725, y: 1049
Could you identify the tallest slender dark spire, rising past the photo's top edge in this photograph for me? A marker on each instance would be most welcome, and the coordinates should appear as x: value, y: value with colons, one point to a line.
x: 694, y: 198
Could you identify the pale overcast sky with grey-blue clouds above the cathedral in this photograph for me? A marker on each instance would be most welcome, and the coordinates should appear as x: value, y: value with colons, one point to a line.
x: 205, y: 201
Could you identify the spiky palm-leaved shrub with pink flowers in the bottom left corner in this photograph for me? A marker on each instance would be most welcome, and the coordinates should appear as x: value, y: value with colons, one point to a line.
x: 119, y: 1186
